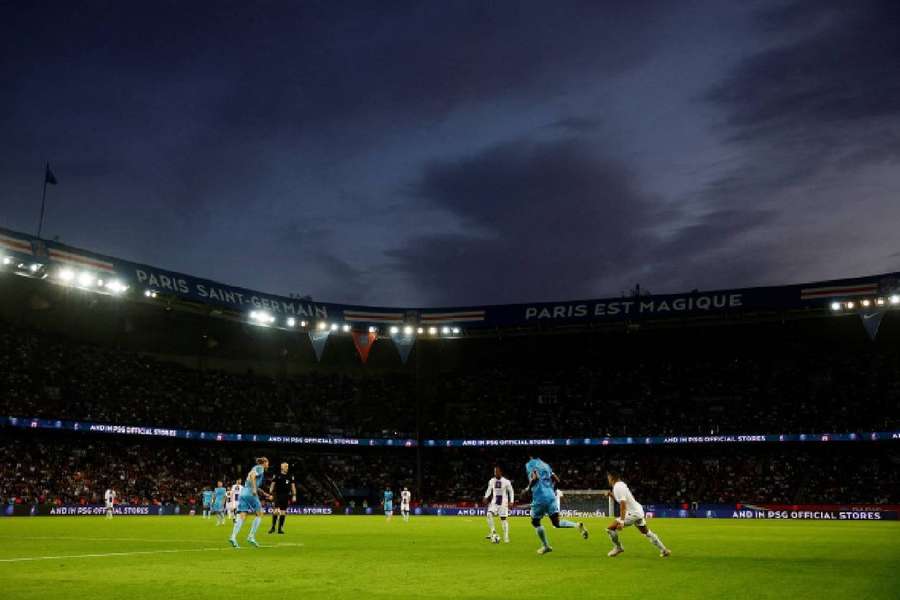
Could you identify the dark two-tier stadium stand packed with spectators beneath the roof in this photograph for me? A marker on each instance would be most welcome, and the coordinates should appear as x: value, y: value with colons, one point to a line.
x: 69, y: 354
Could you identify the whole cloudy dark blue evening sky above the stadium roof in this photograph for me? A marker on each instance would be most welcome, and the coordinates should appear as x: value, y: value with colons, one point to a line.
x: 438, y: 152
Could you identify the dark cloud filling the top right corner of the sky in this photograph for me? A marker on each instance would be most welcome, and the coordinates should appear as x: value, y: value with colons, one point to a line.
x: 826, y: 86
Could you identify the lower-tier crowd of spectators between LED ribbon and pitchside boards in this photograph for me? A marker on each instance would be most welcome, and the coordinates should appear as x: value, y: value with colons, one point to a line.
x: 78, y: 468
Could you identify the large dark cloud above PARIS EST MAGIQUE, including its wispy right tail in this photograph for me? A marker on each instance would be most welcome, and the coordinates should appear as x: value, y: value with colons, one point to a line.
x: 549, y: 220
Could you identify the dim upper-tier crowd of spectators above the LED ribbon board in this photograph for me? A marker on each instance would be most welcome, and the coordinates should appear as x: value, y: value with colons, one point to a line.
x: 803, y: 387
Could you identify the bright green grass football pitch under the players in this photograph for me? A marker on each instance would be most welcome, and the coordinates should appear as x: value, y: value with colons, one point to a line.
x: 169, y: 558
